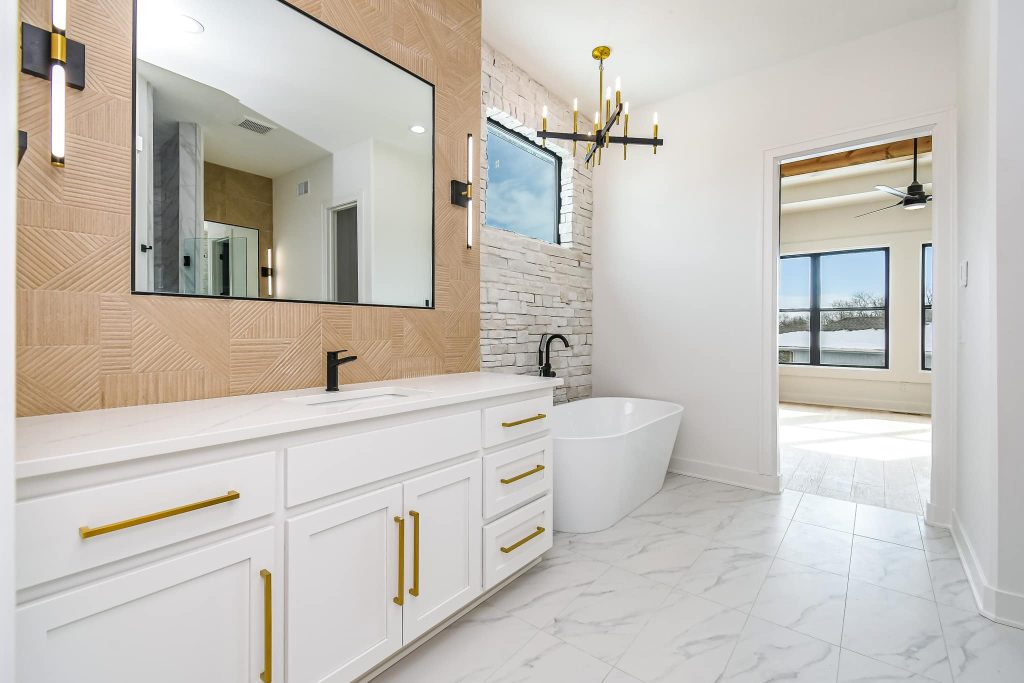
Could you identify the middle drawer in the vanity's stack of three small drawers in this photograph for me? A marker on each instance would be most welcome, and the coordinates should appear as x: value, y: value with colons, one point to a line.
x: 516, y: 476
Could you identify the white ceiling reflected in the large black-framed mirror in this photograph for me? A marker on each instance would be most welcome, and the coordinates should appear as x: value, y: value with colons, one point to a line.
x: 276, y: 63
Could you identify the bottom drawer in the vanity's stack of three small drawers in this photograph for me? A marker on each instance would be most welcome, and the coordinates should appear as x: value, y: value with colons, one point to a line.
x: 517, y: 540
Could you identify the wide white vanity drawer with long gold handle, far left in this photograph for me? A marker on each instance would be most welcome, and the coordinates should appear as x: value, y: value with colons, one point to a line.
x: 61, y: 535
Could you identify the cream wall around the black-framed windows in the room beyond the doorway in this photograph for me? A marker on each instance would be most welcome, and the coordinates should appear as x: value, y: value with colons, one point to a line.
x: 904, y: 387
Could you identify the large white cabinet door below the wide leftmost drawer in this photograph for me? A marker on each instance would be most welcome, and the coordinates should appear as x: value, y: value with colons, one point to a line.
x: 196, y: 618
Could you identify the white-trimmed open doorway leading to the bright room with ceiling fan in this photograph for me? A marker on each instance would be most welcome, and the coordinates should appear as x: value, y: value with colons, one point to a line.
x: 813, y: 443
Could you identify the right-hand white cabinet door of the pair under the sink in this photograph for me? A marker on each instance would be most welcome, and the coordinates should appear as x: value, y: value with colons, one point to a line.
x: 443, y: 546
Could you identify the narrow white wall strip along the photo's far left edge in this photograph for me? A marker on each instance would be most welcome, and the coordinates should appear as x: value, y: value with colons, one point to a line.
x: 9, y: 186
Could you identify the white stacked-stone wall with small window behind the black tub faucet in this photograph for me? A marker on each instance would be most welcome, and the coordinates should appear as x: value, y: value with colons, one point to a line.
x: 530, y: 287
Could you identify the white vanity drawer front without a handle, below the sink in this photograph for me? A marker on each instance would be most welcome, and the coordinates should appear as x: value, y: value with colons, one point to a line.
x: 324, y: 468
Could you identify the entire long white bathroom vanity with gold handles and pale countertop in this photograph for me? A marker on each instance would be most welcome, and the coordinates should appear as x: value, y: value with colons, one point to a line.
x: 313, y: 549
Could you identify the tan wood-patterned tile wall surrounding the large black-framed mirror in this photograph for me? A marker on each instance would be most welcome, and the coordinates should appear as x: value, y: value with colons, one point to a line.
x: 84, y: 343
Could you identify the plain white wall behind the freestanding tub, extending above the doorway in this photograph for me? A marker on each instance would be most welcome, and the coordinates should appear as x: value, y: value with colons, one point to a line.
x: 678, y: 237
